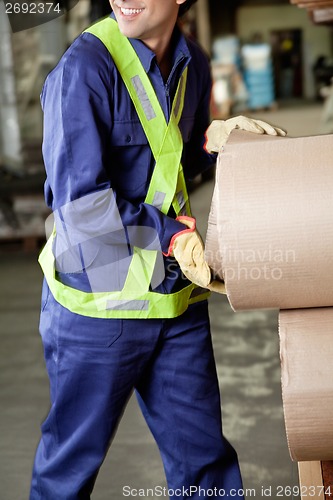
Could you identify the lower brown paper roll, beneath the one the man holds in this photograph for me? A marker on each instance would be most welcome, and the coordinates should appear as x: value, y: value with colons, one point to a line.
x: 306, y: 349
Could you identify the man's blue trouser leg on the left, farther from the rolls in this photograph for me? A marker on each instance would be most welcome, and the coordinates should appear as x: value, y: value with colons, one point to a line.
x: 93, y: 365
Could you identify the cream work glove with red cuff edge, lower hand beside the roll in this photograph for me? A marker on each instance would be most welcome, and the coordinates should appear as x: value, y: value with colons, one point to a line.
x: 188, y: 249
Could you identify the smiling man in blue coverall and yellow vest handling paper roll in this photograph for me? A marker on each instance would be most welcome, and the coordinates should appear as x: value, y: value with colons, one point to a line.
x: 123, y: 306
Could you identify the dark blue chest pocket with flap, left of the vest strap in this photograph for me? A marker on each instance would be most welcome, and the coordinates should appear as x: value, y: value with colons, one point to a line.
x: 131, y: 159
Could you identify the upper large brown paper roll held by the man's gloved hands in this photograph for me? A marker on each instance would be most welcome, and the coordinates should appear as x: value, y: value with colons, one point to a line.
x: 270, y: 231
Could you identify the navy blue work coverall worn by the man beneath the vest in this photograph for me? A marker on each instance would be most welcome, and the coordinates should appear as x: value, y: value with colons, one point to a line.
x: 93, y: 140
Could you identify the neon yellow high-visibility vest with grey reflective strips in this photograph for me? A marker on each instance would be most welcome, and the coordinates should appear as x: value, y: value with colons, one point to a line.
x: 167, y: 187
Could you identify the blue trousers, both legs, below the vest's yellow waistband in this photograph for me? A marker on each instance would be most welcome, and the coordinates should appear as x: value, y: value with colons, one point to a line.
x: 94, y: 364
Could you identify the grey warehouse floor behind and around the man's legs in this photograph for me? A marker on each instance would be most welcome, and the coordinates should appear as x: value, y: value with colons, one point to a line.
x: 247, y: 355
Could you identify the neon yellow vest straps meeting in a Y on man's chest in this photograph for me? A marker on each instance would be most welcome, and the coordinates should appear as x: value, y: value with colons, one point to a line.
x: 164, y: 139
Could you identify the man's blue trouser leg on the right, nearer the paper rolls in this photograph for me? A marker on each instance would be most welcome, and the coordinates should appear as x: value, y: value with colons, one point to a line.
x: 179, y: 397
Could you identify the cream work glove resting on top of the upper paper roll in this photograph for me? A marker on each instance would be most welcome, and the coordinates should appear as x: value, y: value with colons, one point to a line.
x: 219, y: 130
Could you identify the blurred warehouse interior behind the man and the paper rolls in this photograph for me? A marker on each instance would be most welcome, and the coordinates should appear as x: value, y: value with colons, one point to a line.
x: 271, y: 59
